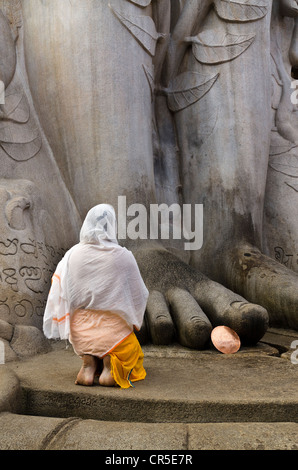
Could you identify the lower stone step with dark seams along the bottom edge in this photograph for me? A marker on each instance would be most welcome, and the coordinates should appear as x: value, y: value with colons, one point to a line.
x: 19, y: 432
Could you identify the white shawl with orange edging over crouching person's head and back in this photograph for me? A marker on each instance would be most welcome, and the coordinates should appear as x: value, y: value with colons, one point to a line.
x: 96, y: 274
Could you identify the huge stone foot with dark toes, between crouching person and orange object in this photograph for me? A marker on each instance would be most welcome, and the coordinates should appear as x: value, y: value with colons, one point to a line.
x: 185, y: 305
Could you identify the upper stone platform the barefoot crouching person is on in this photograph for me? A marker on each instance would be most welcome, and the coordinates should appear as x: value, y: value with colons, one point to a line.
x: 182, y: 386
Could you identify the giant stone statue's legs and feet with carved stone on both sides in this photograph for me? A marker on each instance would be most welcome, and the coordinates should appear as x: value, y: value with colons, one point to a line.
x: 162, y: 101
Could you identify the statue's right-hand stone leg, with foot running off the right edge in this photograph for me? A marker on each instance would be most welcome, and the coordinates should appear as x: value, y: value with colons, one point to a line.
x: 225, y: 142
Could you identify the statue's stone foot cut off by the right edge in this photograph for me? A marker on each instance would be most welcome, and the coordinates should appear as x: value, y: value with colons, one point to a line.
x: 262, y: 280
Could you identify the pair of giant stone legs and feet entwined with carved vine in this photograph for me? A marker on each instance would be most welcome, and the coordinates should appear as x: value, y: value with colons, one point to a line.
x: 168, y: 101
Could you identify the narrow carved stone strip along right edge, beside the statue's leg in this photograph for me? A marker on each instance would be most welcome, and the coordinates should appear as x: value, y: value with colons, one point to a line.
x: 280, y: 227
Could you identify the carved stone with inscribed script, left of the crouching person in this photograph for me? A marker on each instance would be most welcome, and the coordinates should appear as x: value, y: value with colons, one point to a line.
x: 36, y: 227
